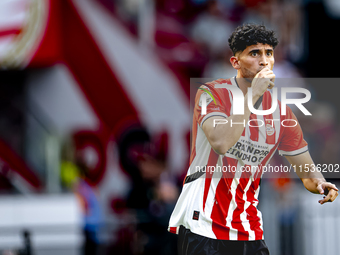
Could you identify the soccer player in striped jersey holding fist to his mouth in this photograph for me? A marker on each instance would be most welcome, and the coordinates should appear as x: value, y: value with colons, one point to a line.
x: 216, y: 212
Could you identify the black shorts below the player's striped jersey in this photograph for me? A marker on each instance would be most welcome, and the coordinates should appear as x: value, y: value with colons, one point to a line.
x: 193, y: 244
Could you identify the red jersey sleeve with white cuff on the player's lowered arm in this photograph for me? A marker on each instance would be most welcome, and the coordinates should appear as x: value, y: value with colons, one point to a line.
x: 292, y: 142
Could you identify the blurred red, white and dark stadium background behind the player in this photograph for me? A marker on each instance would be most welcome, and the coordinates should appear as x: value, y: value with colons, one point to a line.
x: 95, y: 120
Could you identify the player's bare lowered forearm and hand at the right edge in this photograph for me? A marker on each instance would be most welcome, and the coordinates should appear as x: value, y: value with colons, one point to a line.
x: 312, y: 179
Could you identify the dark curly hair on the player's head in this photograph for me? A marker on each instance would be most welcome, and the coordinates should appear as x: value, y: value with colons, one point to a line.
x: 251, y: 34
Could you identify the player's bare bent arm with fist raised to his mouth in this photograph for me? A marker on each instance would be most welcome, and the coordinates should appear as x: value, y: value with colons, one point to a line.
x: 223, y: 137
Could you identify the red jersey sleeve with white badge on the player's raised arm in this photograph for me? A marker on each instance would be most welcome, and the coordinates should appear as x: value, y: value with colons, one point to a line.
x: 217, y: 103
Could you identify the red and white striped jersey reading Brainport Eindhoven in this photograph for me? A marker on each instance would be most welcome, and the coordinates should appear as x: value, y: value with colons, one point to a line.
x: 223, y: 204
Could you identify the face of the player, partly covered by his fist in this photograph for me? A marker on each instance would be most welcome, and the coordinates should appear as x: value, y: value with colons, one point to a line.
x: 254, y: 58
